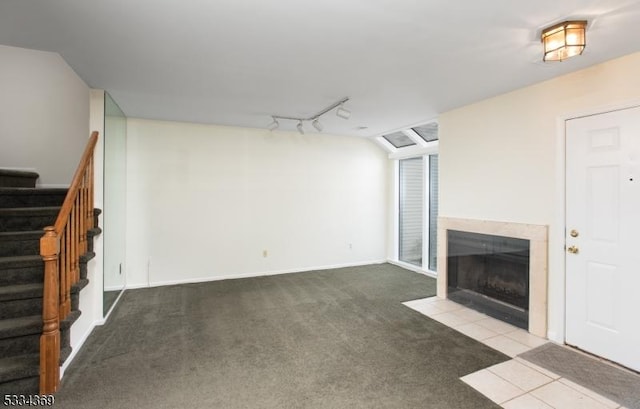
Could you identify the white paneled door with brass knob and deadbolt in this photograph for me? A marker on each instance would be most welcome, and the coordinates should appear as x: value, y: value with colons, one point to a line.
x: 603, y: 235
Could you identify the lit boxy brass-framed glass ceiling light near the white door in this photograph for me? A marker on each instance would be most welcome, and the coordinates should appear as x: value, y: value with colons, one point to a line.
x: 564, y: 40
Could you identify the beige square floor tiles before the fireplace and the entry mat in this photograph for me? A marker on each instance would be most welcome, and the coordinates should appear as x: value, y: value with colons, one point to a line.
x: 514, y: 384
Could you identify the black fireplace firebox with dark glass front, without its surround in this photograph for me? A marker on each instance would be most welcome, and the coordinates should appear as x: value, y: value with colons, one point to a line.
x: 490, y: 274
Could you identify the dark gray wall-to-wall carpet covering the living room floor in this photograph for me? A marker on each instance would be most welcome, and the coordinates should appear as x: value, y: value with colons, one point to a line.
x: 325, y: 339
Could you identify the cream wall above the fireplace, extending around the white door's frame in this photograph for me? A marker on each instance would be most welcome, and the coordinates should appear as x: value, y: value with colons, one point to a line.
x: 502, y: 158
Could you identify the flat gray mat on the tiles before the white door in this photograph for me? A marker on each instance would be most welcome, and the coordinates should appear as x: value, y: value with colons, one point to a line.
x: 617, y: 384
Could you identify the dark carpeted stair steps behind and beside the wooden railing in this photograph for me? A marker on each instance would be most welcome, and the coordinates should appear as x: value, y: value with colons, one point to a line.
x: 24, y: 212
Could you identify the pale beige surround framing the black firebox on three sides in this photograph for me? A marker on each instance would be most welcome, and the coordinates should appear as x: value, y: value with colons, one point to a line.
x: 538, y: 242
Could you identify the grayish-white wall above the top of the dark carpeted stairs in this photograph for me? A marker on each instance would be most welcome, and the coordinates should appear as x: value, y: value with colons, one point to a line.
x: 44, y: 114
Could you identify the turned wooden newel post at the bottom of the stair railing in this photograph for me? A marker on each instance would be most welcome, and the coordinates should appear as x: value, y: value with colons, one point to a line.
x: 50, y: 338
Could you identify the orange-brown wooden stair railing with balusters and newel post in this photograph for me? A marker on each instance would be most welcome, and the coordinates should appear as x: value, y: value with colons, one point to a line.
x: 61, y: 248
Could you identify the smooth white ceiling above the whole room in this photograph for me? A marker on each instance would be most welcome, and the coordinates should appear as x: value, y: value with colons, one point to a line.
x: 237, y: 62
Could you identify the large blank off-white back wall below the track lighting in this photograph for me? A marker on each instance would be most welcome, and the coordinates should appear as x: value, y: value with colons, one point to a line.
x: 204, y: 202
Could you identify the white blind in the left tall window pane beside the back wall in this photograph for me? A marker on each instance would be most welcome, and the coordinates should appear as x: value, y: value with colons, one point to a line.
x: 411, y: 205
